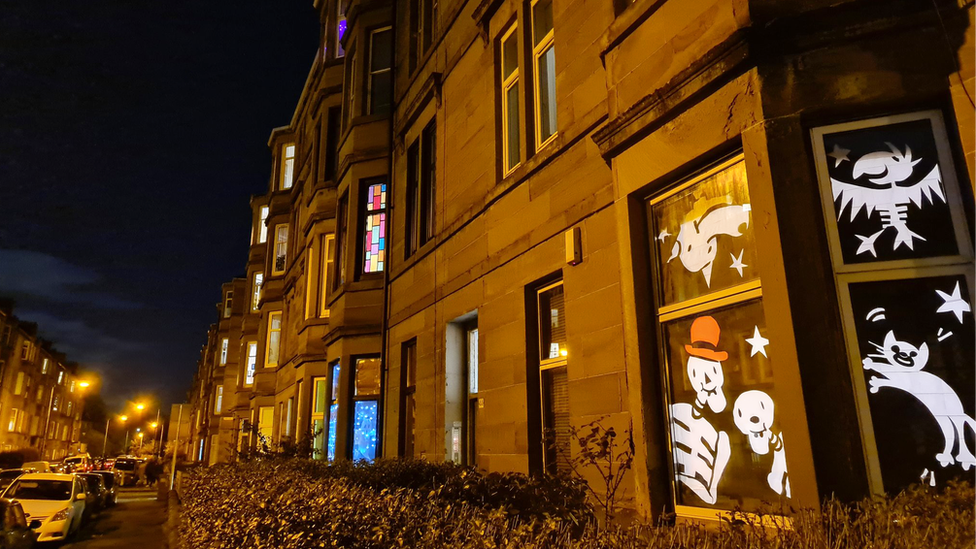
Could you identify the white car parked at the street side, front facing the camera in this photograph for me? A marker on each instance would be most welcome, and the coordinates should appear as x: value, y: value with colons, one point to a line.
x: 53, y: 503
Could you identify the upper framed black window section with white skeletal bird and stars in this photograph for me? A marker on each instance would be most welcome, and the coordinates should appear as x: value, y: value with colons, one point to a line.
x: 892, y: 192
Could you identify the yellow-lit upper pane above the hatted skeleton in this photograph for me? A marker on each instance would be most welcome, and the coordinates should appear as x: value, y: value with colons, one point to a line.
x: 703, y: 236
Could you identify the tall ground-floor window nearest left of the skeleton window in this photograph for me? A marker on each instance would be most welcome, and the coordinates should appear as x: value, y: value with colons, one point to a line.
x: 553, y: 378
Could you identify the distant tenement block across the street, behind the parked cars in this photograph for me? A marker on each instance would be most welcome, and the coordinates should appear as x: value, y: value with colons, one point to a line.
x: 41, y: 401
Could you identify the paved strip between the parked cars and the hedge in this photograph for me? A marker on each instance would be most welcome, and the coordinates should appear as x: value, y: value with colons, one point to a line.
x: 136, y: 522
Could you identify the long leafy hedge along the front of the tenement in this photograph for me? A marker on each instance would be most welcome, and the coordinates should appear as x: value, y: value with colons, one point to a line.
x: 301, y: 504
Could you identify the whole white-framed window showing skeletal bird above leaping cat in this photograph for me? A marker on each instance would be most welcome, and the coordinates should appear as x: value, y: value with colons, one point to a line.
x: 903, y: 262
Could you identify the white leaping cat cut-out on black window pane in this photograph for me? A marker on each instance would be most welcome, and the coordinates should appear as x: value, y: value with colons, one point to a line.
x: 899, y: 365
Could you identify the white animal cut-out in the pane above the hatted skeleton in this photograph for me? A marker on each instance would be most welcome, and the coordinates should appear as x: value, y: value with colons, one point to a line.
x: 696, y: 246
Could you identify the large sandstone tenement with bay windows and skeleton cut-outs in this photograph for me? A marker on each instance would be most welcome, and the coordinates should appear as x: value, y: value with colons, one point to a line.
x: 742, y: 230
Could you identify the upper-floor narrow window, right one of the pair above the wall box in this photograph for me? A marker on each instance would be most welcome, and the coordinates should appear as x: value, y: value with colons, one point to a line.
x: 544, y: 71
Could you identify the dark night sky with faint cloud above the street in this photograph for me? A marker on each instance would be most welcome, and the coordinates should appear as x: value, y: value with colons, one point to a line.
x: 132, y: 135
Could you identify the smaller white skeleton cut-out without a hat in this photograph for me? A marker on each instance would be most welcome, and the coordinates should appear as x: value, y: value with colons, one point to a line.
x: 753, y: 414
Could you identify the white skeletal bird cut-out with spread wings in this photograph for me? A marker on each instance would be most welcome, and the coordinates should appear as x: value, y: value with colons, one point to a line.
x: 886, y: 196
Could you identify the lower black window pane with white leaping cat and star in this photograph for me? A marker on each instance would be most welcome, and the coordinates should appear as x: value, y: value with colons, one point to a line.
x: 917, y: 359
